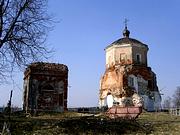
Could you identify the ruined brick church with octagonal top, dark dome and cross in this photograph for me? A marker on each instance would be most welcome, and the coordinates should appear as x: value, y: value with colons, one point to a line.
x: 127, y: 70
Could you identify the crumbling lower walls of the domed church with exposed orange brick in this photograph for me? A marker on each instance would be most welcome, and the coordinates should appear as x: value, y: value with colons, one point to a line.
x: 116, y: 79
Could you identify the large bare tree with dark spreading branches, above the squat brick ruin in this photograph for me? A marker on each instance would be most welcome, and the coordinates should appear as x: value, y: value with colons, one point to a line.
x: 24, y: 25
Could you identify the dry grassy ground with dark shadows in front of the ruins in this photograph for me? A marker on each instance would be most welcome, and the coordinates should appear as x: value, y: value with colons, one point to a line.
x: 87, y: 124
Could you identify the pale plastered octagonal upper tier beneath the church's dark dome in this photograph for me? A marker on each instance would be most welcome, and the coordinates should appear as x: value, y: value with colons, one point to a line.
x: 126, y: 54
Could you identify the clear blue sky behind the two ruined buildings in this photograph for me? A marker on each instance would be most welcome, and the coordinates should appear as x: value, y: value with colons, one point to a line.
x: 86, y: 27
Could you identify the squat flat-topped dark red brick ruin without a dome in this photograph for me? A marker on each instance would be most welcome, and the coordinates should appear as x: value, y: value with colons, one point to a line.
x: 45, y: 87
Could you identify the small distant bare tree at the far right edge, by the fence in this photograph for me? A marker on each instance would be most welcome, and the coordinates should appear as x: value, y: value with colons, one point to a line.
x: 176, y: 98
